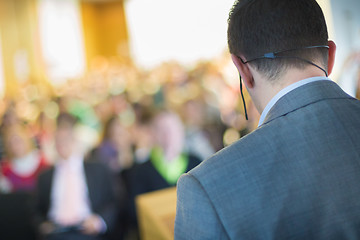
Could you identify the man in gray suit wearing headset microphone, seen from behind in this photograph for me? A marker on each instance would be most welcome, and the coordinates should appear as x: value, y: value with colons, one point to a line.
x: 297, y: 176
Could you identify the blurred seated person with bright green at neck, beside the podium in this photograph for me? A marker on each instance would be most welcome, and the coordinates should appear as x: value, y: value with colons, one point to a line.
x: 167, y: 160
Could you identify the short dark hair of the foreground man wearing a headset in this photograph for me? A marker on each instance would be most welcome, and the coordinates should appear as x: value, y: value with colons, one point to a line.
x: 256, y: 27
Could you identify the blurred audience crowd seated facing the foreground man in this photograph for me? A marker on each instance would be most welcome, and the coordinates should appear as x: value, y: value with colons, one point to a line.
x: 133, y: 131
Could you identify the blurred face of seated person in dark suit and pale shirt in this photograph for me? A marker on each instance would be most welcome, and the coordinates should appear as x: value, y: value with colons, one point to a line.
x: 64, y: 142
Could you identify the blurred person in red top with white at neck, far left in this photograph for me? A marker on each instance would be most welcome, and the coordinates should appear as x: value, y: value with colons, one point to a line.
x: 22, y: 162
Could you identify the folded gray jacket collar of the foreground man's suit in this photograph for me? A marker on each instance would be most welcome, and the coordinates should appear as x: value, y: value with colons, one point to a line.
x: 303, y: 96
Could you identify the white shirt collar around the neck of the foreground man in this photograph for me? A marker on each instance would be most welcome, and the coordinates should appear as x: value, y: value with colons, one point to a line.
x: 286, y: 90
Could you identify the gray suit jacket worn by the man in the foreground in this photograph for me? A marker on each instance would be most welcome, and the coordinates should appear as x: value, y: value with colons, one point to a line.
x: 295, y: 177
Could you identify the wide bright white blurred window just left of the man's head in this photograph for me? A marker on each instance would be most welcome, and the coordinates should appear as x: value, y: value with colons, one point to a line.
x: 185, y: 30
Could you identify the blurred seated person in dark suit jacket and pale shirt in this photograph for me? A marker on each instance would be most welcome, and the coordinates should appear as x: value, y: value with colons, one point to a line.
x: 75, y: 199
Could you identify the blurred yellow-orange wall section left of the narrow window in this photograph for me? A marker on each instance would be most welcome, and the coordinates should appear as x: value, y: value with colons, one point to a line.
x: 21, y: 54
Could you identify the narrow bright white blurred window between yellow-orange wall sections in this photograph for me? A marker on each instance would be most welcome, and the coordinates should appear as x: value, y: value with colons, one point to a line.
x: 62, y: 40
